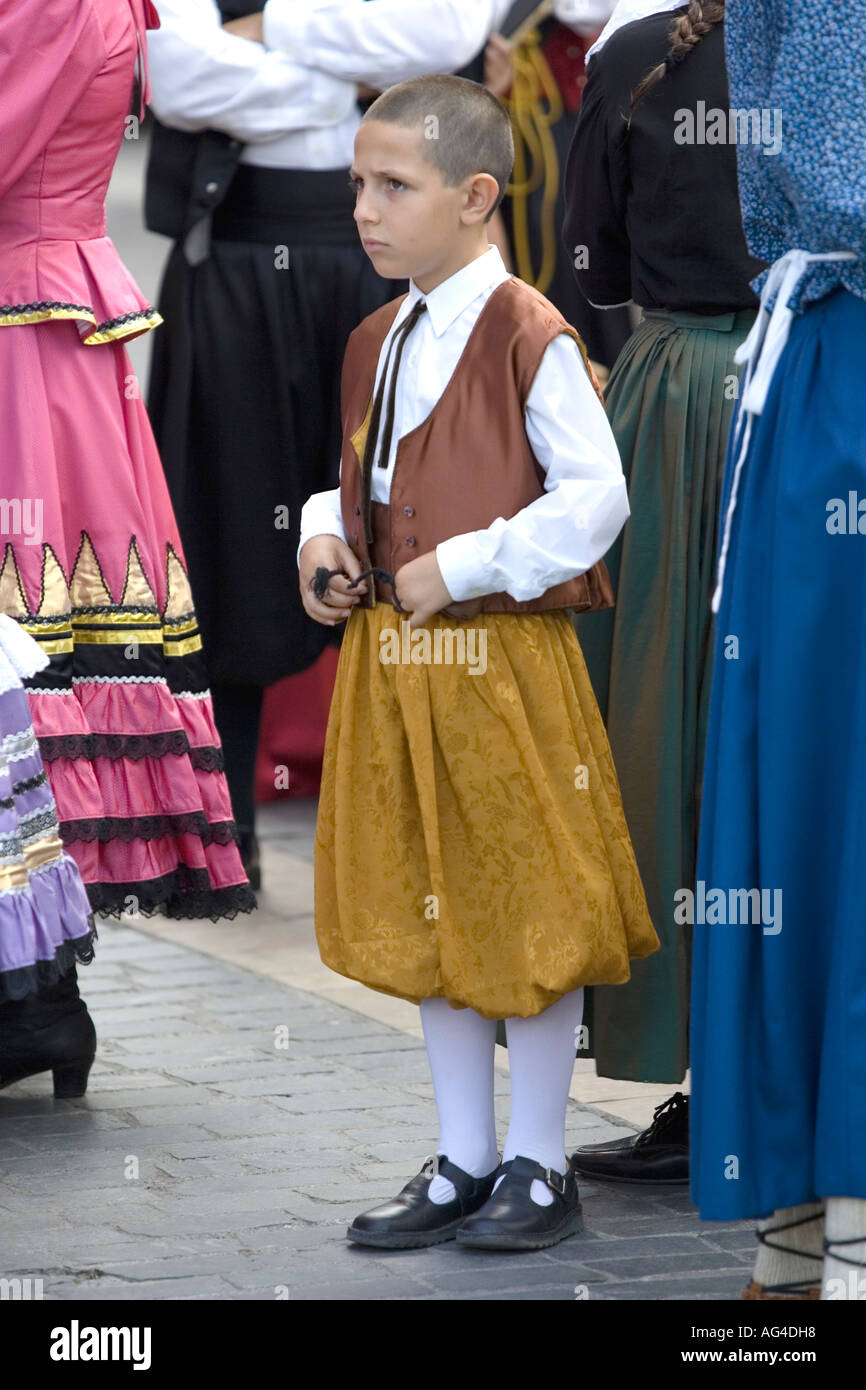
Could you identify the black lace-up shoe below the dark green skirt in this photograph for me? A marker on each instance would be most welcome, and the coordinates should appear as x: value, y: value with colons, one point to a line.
x: 660, y: 1154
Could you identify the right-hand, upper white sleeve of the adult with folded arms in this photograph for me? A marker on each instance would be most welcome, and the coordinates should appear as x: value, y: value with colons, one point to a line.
x: 382, y: 42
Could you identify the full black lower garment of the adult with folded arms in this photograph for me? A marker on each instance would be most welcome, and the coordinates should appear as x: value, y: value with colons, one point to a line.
x: 245, y: 405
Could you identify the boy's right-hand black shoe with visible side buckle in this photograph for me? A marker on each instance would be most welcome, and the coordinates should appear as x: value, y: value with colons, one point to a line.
x: 512, y: 1221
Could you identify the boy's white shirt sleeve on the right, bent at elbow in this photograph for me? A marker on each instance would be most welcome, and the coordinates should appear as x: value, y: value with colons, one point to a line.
x: 586, y: 501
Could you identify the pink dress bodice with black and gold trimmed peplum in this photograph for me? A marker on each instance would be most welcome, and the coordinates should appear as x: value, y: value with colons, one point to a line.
x: 66, y: 76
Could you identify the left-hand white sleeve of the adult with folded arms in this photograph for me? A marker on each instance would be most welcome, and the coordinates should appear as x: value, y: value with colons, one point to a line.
x: 202, y: 77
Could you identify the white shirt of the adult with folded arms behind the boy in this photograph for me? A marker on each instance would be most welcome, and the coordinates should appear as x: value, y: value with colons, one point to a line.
x: 294, y: 102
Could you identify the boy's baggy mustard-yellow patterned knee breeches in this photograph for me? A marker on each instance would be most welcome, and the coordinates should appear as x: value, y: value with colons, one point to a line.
x: 471, y: 842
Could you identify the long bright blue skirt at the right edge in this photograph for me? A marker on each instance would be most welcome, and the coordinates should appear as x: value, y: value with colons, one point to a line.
x: 779, y: 983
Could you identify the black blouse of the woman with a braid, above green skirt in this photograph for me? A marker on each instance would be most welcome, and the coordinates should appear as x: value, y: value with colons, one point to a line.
x: 660, y: 220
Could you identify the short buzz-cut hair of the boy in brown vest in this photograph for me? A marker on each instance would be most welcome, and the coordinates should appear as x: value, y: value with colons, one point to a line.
x: 465, y: 129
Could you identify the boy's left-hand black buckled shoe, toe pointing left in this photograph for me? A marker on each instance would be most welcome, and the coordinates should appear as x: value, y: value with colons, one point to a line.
x: 411, y: 1220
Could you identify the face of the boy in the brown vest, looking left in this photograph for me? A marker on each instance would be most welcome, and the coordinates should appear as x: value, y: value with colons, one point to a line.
x: 411, y: 223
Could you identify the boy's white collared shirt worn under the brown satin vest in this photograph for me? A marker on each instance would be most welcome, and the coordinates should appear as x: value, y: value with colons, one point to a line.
x: 585, y: 507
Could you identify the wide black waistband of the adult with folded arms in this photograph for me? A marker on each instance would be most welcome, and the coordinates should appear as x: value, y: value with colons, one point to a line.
x: 288, y: 208
